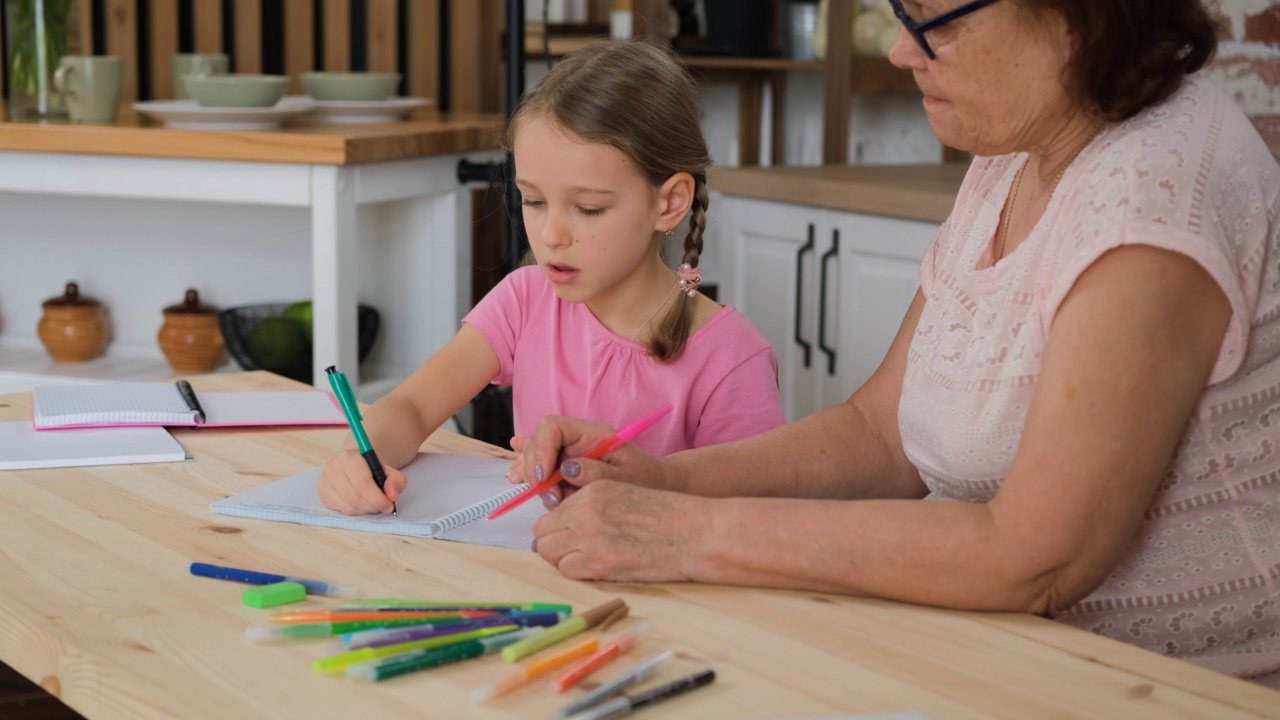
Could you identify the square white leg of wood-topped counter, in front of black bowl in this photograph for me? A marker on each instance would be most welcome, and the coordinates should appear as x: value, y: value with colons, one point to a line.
x: 335, y: 272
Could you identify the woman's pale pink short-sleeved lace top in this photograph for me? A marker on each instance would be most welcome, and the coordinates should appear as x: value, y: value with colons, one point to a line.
x: 1203, y: 580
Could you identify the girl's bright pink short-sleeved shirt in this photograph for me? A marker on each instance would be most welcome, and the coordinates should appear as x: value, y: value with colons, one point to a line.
x: 563, y: 362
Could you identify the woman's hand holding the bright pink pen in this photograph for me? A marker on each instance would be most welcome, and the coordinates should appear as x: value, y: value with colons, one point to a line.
x: 569, y: 439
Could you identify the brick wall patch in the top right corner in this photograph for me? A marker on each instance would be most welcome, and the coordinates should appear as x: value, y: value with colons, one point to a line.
x: 1249, y: 62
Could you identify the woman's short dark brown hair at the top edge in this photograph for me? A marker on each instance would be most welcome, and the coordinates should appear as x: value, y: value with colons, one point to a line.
x: 1133, y: 54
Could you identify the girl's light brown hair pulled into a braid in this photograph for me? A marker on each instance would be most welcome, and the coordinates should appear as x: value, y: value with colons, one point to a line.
x: 639, y: 99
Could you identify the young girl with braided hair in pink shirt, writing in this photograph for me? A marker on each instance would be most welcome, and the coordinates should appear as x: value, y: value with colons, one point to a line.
x: 610, y: 160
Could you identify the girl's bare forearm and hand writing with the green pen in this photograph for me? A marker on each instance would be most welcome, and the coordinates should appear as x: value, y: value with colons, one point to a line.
x: 401, y: 421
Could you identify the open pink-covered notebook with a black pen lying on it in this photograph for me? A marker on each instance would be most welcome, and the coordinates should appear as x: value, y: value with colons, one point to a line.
x: 176, y: 404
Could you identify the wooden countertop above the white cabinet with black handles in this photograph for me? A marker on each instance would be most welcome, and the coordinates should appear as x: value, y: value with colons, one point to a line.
x: 915, y: 193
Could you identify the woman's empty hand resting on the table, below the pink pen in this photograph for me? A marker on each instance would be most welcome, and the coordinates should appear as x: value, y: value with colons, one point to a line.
x: 611, y: 531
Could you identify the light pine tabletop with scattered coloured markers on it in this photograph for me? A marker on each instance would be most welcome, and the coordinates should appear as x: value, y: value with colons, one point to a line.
x: 97, y: 605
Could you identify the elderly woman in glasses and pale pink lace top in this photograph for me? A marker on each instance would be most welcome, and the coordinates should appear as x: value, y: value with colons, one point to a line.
x: 1087, y: 386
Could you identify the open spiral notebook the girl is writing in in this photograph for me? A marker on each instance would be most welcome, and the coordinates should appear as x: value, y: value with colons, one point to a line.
x: 449, y: 498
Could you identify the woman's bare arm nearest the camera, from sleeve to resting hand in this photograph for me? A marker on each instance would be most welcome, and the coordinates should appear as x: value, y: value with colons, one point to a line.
x: 1127, y: 361
